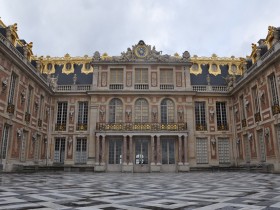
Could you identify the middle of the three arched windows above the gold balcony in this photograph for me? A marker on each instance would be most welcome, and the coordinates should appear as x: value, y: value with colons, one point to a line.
x: 141, y: 110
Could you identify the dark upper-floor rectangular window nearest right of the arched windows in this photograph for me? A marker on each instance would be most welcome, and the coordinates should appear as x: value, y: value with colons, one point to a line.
x: 200, y: 119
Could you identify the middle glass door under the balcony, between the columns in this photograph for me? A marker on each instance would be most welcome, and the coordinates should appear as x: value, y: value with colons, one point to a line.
x: 141, y: 161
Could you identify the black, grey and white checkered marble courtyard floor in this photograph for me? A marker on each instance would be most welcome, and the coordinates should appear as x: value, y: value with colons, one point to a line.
x: 109, y: 191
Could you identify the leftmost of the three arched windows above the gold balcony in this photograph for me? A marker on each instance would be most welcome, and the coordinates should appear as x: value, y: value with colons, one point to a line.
x: 115, y: 111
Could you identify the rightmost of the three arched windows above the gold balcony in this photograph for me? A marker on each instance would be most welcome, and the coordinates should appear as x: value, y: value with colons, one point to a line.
x: 167, y: 111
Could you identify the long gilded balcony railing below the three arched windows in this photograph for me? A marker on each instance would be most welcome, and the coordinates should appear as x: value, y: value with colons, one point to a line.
x: 141, y: 126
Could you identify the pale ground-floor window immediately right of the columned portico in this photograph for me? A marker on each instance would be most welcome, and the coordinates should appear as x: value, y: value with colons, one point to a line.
x: 201, y: 151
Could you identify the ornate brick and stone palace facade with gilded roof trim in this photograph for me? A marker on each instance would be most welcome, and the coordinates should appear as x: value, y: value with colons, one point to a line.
x: 140, y: 111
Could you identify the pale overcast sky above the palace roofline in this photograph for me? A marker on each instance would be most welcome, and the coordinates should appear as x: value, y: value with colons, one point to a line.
x: 81, y: 27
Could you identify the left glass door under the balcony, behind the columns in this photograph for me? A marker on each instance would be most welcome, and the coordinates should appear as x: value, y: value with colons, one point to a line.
x: 115, y: 151
